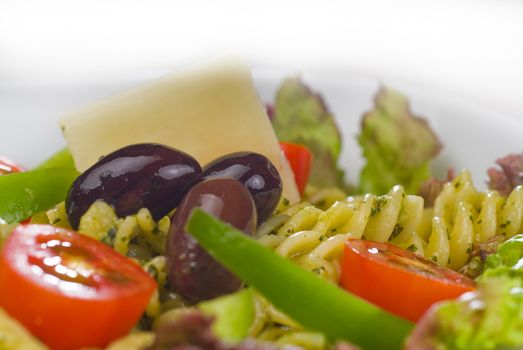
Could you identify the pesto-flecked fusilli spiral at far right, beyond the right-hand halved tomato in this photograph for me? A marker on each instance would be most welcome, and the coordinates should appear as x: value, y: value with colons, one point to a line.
x: 463, y: 216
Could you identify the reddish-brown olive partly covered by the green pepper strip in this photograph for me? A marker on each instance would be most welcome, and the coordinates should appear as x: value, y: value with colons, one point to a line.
x: 191, y: 271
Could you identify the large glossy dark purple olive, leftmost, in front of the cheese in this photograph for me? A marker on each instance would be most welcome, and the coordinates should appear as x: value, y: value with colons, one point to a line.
x: 145, y: 175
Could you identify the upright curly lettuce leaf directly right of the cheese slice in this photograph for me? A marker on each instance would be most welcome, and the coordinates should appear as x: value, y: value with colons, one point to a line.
x: 300, y: 115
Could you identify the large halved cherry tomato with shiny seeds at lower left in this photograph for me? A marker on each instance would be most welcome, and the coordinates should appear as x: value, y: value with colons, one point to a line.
x: 70, y: 290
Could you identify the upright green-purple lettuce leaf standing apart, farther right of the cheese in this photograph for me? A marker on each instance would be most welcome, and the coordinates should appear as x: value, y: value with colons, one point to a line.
x: 397, y: 145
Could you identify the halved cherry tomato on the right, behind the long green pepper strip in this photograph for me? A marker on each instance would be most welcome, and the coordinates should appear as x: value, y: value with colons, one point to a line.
x: 397, y: 280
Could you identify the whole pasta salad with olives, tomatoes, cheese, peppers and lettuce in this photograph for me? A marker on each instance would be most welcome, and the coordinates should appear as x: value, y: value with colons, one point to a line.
x: 155, y: 247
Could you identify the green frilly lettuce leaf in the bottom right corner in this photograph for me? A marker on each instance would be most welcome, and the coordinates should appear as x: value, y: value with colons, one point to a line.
x: 487, y: 319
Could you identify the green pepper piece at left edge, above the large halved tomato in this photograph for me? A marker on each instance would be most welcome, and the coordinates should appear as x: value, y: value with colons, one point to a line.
x: 24, y: 194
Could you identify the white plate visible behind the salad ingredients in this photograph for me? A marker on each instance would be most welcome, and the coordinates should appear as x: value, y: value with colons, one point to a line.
x: 472, y: 136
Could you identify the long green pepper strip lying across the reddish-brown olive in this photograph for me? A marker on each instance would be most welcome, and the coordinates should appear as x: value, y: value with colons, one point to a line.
x: 315, y: 303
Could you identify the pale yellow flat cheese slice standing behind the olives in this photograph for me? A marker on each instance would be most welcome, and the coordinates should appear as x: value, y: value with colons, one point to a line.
x: 206, y: 111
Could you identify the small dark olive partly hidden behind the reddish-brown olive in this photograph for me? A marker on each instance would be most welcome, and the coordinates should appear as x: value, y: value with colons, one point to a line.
x: 258, y: 175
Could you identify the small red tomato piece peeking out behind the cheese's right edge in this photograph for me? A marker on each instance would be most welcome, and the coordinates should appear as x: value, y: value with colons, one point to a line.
x: 300, y: 159
